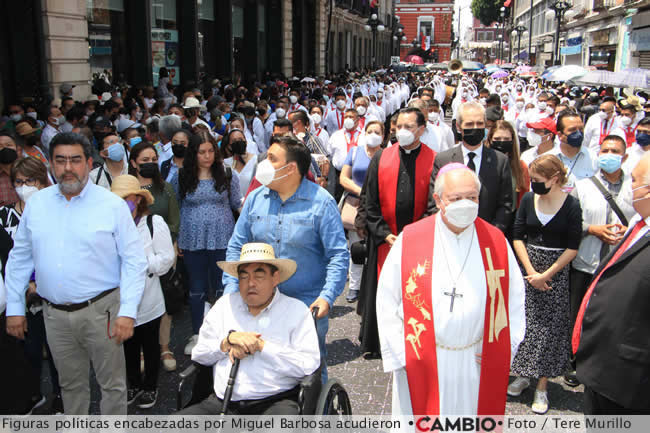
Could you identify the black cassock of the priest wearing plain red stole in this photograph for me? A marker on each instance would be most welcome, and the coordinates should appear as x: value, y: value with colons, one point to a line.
x: 378, y: 229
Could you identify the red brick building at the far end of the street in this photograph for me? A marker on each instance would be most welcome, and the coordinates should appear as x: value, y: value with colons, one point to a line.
x: 422, y: 20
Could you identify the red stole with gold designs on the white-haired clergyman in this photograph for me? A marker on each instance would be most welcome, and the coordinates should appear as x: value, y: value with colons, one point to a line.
x: 419, y: 333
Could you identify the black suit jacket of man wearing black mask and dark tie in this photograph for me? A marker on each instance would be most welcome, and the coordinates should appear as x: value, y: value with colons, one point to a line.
x: 495, y: 200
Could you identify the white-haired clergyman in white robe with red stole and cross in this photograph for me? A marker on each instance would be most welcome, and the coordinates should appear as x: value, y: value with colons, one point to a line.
x: 452, y: 307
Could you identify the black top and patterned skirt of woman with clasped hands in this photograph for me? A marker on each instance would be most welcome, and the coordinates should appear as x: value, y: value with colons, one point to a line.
x: 545, y: 349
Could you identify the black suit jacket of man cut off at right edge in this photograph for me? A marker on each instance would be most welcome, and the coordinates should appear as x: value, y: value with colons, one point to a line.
x: 614, y: 353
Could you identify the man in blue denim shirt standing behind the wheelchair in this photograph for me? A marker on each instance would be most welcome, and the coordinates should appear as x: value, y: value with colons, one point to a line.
x: 302, y: 223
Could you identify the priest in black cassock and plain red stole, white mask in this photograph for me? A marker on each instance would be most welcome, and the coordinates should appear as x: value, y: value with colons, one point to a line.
x: 396, y: 194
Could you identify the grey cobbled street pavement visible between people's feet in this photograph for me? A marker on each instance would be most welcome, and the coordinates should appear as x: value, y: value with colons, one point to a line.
x: 366, y: 383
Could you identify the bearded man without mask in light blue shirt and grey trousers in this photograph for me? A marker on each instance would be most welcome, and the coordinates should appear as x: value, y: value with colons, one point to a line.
x: 82, y: 243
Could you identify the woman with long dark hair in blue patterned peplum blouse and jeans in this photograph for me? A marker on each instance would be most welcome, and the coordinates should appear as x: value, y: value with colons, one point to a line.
x: 208, y: 193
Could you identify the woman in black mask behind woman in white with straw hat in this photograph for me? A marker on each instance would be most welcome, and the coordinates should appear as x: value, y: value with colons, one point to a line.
x: 143, y: 164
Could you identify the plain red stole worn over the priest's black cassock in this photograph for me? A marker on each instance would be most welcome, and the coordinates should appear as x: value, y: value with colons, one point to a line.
x: 389, y: 165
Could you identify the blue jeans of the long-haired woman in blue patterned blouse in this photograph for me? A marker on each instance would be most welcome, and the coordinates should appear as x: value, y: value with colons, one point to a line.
x: 205, y: 277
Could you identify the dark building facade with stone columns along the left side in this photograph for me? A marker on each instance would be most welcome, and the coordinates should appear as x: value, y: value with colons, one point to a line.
x: 44, y: 43
